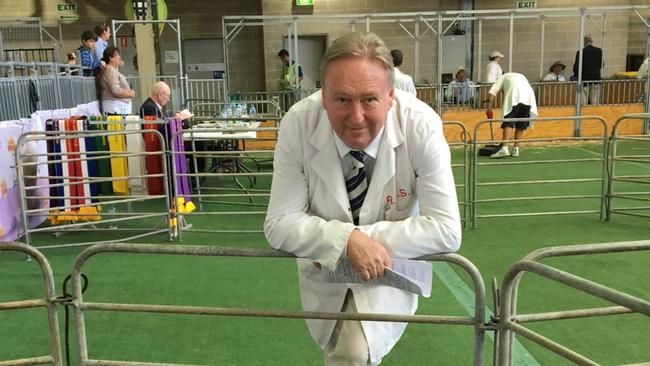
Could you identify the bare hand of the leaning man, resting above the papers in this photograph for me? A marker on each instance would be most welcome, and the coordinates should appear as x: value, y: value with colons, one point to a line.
x: 367, y: 255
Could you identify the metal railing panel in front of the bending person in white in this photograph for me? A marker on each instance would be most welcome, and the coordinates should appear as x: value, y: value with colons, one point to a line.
x: 601, y: 175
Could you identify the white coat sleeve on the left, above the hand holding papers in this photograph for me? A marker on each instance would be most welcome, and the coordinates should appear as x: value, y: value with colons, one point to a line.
x: 289, y: 226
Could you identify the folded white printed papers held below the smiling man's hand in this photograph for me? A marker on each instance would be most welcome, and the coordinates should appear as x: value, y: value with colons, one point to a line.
x: 408, y: 275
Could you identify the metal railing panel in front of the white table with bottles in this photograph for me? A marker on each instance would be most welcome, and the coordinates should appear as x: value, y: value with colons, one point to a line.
x: 226, y: 149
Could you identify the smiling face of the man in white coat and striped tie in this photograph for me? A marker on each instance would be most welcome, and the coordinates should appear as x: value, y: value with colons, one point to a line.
x: 357, y: 98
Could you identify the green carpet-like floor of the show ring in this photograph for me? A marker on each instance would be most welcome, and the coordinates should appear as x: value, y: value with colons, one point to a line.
x: 493, y: 246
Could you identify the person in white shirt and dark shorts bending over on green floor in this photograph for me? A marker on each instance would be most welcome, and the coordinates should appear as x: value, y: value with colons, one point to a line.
x: 518, y: 102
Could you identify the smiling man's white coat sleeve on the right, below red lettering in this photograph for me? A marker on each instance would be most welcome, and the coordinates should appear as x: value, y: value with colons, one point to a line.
x: 436, y: 228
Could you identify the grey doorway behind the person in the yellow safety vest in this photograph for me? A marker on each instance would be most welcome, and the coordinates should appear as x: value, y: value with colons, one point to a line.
x: 311, y: 50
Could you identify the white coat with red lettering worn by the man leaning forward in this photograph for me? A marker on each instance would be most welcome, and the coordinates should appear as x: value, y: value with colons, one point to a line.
x: 309, y: 212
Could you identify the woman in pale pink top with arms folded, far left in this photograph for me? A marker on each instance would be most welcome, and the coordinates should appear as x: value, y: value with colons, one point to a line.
x: 115, y: 91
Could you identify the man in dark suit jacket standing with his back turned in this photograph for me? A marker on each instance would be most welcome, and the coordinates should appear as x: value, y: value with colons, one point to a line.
x: 592, y: 61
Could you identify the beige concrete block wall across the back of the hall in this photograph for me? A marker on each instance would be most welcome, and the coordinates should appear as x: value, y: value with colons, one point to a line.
x: 255, y: 66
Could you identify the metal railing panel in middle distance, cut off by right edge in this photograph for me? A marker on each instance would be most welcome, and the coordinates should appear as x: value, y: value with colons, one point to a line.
x: 638, y: 156
